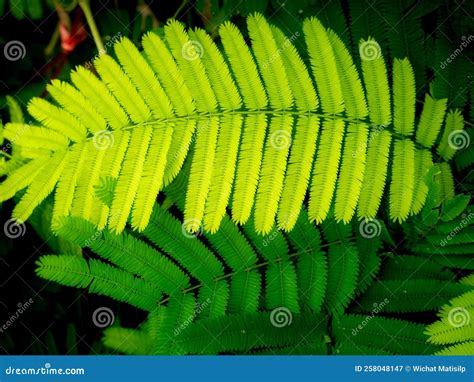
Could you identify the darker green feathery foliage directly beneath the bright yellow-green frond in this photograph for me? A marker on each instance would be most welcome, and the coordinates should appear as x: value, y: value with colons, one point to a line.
x: 236, y: 291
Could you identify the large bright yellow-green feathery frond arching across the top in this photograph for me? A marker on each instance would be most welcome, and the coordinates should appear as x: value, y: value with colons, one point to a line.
x: 150, y: 106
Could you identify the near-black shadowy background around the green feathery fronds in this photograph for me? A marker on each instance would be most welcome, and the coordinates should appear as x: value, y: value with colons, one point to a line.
x: 59, y: 319
